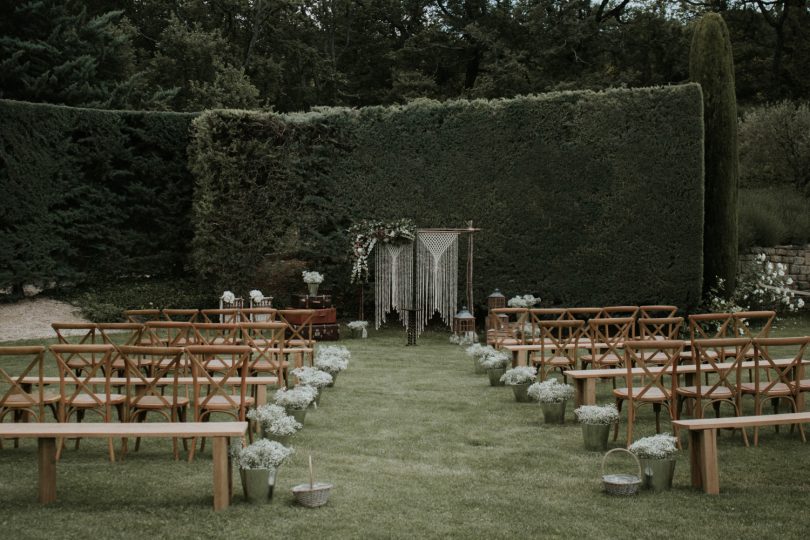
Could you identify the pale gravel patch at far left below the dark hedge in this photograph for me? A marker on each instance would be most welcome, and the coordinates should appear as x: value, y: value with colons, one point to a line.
x: 31, y: 319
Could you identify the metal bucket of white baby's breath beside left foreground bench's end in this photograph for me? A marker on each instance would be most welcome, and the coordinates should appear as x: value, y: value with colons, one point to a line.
x: 258, y: 466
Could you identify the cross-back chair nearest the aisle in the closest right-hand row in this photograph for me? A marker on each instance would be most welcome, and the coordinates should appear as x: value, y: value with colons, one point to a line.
x: 657, y: 385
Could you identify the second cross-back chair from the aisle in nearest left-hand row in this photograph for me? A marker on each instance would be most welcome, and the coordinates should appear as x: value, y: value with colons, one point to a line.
x: 149, y: 392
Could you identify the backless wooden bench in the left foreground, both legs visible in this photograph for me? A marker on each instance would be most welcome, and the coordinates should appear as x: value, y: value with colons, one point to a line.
x: 48, y: 433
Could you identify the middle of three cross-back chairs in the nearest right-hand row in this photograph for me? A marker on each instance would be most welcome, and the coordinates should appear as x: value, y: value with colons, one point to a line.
x: 725, y: 383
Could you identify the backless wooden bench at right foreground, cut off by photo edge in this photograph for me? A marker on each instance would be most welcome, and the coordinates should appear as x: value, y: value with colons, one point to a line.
x: 703, y: 442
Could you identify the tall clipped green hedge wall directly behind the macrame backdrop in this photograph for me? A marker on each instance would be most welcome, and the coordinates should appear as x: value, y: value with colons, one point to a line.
x: 583, y: 198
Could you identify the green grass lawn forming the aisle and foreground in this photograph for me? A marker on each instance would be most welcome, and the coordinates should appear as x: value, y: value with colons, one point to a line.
x: 417, y: 446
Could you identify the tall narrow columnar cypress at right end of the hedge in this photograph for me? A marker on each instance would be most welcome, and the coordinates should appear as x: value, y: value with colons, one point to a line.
x: 711, y: 65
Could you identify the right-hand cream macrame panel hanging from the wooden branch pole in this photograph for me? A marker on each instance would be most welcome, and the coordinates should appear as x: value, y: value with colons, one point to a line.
x: 437, y: 276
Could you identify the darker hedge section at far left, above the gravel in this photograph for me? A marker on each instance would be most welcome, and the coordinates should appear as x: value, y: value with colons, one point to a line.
x: 92, y: 193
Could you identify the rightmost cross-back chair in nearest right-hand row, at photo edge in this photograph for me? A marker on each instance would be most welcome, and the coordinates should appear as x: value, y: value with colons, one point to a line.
x: 786, y: 383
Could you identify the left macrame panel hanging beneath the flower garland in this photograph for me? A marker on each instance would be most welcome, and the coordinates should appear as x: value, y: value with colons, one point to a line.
x: 393, y: 278
